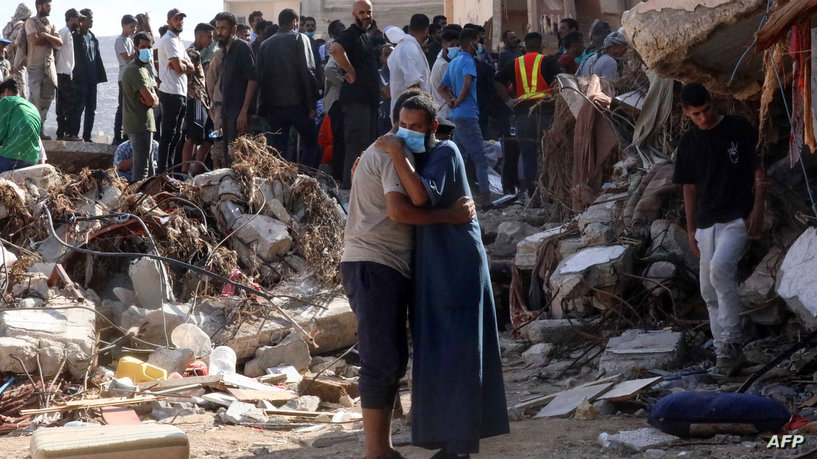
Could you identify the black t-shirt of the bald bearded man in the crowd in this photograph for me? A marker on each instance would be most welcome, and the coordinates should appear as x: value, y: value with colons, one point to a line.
x: 362, y: 55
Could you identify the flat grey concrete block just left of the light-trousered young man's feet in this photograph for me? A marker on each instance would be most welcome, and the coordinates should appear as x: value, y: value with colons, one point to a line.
x: 637, y: 350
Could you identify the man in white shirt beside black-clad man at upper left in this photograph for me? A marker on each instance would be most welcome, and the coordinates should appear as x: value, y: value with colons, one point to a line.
x: 65, y: 67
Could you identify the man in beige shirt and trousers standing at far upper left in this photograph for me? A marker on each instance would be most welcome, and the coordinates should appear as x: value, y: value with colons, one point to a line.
x: 43, y: 39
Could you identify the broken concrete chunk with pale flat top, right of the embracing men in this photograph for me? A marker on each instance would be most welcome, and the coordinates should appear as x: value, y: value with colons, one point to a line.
x: 593, y: 267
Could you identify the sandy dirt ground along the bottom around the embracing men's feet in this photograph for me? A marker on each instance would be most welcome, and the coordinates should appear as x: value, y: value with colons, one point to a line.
x: 539, y: 438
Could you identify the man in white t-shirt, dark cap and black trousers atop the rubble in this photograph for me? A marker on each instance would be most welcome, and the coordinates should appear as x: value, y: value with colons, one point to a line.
x: 174, y: 65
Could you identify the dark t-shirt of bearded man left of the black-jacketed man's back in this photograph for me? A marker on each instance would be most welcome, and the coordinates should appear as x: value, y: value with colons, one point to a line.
x: 237, y: 69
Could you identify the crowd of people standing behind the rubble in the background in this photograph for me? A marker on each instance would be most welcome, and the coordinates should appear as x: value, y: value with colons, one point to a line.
x: 320, y: 102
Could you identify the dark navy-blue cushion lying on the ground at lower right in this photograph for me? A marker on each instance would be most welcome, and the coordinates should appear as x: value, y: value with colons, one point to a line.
x: 676, y: 413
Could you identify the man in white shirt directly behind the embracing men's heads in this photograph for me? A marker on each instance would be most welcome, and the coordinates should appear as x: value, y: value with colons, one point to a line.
x: 408, y: 65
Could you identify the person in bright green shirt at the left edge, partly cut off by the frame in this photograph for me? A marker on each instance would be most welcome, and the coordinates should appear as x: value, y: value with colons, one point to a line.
x: 19, y: 129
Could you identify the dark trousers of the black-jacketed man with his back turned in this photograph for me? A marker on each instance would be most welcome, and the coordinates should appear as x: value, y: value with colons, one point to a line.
x: 281, y: 119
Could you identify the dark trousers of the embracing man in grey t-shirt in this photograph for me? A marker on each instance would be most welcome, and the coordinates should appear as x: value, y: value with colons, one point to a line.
x: 379, y: 296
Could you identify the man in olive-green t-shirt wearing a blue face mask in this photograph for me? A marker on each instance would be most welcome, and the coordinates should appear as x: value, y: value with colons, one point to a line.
x: 138, y: 97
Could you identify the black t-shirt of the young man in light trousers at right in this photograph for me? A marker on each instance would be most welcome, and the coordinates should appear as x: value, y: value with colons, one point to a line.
x: 721, y: 163
